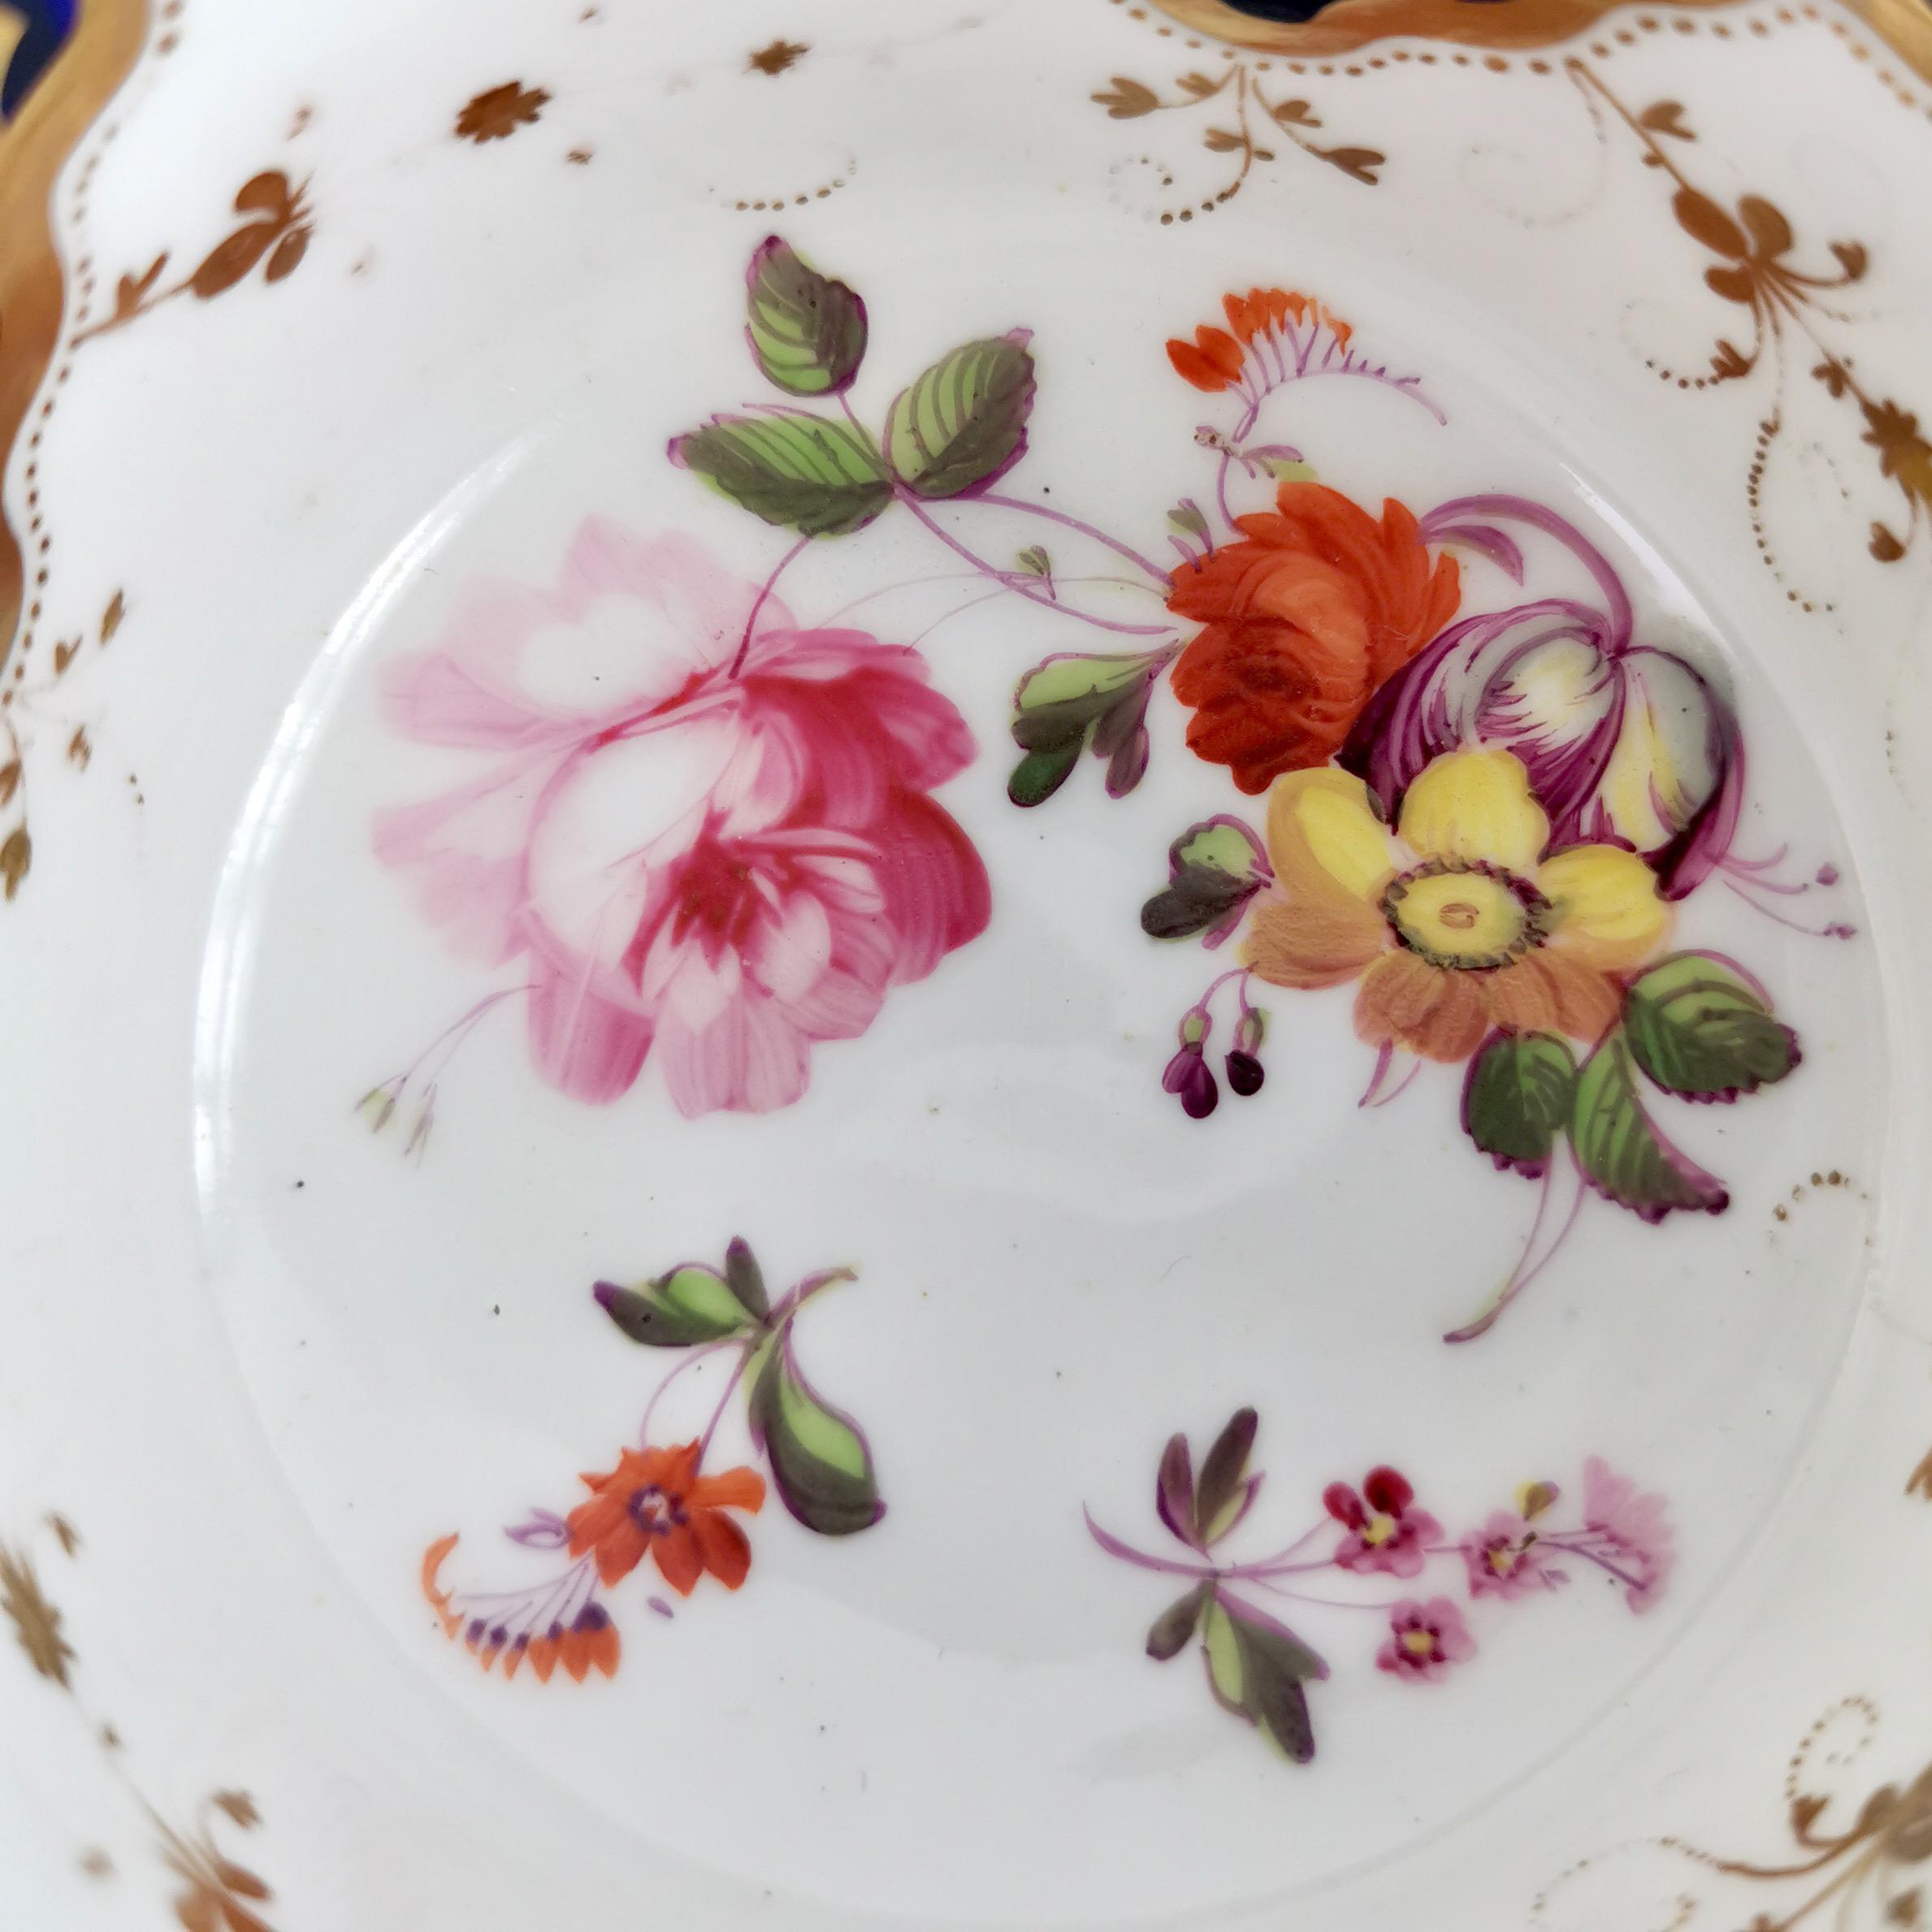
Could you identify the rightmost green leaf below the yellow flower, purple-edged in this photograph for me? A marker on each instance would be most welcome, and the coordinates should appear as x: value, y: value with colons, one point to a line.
x: 1703, y: 1029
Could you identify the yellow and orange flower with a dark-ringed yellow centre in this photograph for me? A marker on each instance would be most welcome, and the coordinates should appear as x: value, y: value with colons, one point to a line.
x: 1462, y: 923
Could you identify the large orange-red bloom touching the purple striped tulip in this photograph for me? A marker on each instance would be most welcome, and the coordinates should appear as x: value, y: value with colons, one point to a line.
x: 1305, y: 619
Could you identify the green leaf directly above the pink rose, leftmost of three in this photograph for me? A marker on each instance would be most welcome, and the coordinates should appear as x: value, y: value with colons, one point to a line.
x: 801, y: 472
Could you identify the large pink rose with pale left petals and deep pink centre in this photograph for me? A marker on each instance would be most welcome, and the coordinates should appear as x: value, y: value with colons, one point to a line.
x: 725, y: 861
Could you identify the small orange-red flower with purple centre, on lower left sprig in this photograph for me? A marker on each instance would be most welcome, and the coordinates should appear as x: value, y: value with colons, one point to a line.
x: 656, y: 1504
